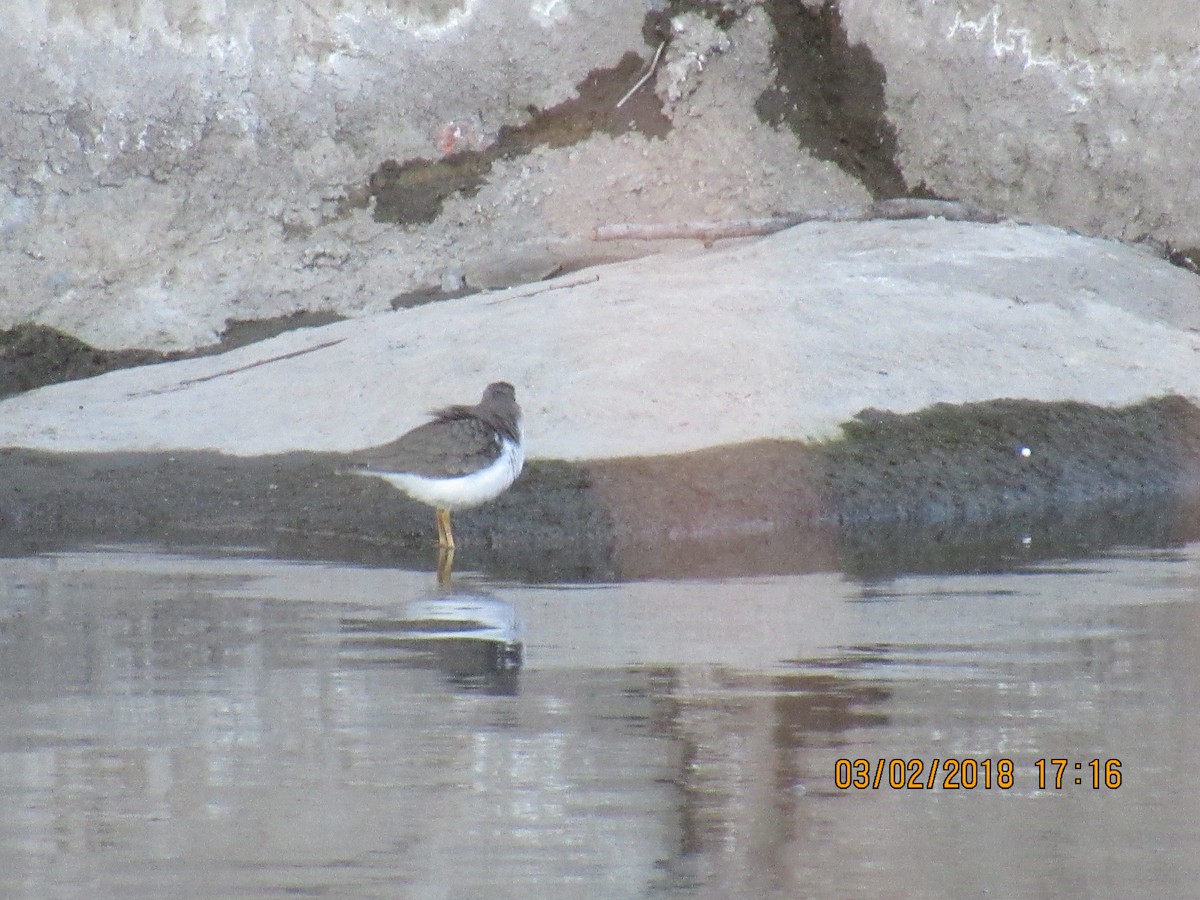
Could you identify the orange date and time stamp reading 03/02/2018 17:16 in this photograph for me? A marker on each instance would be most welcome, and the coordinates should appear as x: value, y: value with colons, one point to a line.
x: 969, y: 775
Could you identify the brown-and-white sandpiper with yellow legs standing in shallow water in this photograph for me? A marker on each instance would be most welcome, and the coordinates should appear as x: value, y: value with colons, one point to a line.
x: 464, y: 458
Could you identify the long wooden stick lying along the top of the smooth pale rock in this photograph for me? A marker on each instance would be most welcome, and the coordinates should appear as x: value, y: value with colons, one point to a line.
x: 710, y: 232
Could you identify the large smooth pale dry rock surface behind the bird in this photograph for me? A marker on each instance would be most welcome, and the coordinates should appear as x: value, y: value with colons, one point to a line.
x: 785, y: 337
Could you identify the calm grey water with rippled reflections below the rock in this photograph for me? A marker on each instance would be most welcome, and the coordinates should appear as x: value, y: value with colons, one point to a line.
x: 224, y: 727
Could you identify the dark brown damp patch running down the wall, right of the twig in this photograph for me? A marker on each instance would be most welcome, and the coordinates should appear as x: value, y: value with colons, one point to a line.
x: 830, y: 94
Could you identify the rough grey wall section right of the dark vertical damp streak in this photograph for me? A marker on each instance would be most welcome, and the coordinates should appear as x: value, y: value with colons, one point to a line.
x: 1073, y: 113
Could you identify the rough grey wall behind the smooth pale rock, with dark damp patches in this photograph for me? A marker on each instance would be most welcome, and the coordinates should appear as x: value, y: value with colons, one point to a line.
x: 170, y: 166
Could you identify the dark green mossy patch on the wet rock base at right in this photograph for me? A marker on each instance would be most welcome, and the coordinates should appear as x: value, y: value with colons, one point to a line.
x: 965, y: 464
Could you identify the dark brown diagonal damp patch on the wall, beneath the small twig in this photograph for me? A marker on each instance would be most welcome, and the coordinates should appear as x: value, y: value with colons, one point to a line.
x: 413, y: 193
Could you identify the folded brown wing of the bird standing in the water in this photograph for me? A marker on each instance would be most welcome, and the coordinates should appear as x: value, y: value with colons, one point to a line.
x: 443, y: 448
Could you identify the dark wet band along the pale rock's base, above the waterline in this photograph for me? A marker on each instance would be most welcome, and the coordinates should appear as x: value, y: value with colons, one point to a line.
x: 897, y: 493
